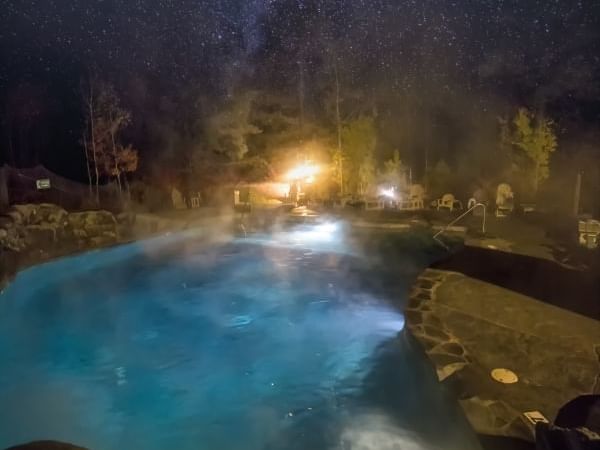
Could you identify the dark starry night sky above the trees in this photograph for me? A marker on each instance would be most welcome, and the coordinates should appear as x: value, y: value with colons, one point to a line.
x: 543, y: 53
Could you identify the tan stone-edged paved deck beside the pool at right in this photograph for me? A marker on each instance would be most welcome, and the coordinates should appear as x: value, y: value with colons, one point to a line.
x: 468, y: 328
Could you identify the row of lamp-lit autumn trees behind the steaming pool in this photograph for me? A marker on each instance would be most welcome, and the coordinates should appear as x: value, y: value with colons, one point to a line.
x: 254, y: 135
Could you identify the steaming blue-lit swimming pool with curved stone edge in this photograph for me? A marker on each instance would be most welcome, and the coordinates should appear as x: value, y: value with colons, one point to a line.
x: 232, y: 346
